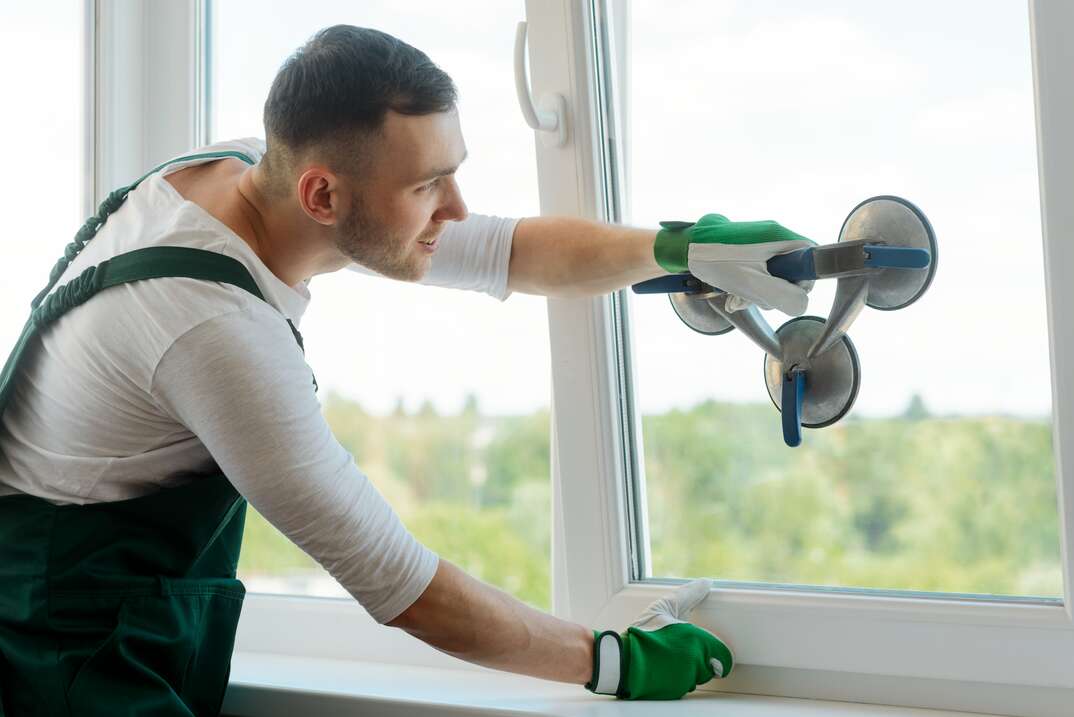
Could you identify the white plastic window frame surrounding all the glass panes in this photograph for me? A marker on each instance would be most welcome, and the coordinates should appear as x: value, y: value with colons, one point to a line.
x: 964, y: 655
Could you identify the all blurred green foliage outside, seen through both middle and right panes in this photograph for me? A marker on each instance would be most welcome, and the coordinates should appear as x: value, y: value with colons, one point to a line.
x: 919, y: 503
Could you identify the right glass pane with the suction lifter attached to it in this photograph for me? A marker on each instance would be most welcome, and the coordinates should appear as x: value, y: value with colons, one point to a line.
x: 942, y: 477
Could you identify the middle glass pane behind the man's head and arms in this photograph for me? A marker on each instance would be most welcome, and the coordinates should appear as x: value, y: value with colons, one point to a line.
x: 441, y: 396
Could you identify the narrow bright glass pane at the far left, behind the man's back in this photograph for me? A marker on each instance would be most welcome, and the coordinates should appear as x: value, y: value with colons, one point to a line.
x: 42, y: 183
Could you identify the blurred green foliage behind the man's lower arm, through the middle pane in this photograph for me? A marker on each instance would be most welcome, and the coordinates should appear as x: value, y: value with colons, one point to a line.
x: 474, y: 489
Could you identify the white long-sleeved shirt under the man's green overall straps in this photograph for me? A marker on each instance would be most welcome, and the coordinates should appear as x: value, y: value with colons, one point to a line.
x: 152, y: 384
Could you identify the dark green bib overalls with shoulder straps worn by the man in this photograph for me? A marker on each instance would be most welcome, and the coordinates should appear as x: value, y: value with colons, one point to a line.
x: 130, y: 607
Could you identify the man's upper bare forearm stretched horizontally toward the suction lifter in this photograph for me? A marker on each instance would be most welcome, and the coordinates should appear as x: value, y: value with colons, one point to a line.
x: 565, y: 257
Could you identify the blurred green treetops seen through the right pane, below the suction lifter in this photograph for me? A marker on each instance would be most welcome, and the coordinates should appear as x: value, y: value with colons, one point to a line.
x: 938, y: 505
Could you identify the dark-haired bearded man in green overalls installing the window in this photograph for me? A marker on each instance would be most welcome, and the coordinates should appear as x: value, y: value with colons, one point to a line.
x: 161, y: 385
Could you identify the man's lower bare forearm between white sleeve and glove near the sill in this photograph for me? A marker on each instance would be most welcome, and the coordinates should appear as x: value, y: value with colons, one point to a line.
x: 477, y: 623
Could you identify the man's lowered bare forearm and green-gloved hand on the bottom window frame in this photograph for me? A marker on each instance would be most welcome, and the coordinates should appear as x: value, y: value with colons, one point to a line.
x: 660, y: 657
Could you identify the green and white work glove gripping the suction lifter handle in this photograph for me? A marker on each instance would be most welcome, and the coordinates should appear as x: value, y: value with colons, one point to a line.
x: 733, y: 257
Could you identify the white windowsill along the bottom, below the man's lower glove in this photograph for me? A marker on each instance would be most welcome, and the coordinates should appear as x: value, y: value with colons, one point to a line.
x: 266, y: 685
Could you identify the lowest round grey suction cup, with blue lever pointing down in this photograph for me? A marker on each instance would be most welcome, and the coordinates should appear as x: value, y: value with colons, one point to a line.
x: 832, y: 379
